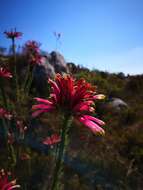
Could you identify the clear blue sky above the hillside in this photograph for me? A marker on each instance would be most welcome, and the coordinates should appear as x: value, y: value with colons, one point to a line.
x: 101, y: 34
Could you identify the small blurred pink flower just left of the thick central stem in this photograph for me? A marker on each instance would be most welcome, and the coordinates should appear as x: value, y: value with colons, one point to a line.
x: 53, y: 139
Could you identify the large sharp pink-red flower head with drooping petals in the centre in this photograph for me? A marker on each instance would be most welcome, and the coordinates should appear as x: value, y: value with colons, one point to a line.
x: 73, y: 97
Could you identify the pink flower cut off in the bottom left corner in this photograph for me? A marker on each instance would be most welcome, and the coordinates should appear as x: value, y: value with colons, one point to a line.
x: 6, y: 183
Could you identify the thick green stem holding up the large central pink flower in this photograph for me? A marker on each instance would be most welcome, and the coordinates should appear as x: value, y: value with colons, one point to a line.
x: 61, y: 151
